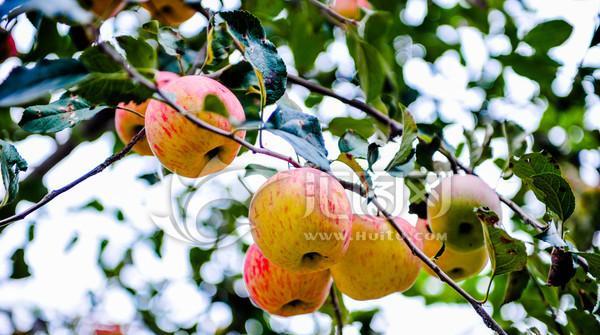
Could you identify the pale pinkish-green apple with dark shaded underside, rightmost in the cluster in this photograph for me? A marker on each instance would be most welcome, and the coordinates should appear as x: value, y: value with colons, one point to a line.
x: 451, y: 210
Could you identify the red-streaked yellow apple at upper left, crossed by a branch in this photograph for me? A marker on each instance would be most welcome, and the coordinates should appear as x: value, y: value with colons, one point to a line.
x: 181, y: 146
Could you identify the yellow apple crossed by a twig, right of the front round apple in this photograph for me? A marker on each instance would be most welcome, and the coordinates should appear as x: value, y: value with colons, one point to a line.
x: 378, y: 262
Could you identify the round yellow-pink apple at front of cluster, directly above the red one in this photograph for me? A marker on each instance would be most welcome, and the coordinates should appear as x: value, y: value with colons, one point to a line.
x: 289, y: 207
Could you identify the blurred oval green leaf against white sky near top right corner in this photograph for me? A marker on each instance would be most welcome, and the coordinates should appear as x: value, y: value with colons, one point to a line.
x: 548, y: 34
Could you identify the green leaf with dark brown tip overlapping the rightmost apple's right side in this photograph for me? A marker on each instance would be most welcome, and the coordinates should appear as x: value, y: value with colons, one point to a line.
x: 507, y: 254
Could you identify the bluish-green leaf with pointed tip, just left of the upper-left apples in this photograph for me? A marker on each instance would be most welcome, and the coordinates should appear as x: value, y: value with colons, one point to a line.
x: 59, y: 115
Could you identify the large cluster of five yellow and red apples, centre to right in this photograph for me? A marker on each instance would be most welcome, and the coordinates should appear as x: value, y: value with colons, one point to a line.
x: 306, y: 236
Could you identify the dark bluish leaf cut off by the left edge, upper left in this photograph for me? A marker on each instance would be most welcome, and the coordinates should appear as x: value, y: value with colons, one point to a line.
x: 24, y: 85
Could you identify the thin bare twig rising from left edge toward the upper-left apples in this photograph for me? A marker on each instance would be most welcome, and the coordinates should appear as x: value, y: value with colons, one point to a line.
x: 55, y: 193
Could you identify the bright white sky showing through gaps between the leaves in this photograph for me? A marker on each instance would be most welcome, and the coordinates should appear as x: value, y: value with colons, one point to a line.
x: 60, y: 278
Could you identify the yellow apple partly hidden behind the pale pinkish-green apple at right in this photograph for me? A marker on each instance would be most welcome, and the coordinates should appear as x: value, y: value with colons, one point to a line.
x: 458, y: 265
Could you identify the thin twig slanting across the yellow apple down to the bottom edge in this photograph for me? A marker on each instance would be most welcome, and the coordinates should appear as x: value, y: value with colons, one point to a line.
x: 487, y: 319
